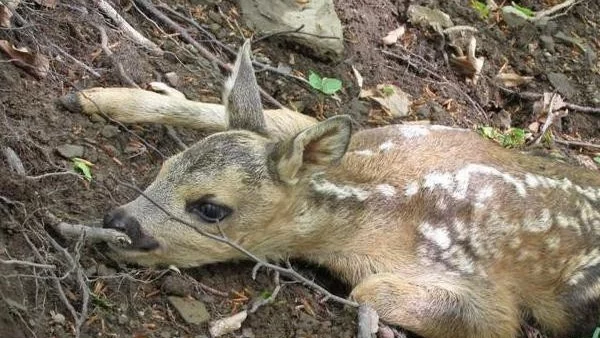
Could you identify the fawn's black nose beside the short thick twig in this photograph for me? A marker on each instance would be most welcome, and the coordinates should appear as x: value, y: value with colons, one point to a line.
x: 119, y: 220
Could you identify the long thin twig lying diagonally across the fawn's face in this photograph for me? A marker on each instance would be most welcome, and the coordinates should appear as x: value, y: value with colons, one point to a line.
x: 289, y: 271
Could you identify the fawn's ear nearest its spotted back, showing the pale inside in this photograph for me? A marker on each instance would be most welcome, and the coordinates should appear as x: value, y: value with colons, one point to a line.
x: 322, y: 144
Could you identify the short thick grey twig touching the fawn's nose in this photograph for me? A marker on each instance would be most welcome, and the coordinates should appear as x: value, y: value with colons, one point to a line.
x: 91, y: 234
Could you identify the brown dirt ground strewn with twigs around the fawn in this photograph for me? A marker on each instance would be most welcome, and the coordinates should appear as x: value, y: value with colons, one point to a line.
x: 128, y: 301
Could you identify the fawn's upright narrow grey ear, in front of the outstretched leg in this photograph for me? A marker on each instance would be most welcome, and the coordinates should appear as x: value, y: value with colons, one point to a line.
x: 241, y: 95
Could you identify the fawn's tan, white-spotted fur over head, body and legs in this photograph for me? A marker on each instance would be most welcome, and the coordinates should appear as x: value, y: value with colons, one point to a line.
x: 442, y: 232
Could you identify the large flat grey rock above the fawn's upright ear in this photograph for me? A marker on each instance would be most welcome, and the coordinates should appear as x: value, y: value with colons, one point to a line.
x: 318, y: 17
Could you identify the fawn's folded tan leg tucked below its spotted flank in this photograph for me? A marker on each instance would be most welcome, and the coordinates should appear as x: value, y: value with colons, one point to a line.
x: 435, y: 306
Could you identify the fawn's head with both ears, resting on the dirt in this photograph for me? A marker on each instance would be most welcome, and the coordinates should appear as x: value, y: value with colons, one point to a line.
x: 236, y: 183
